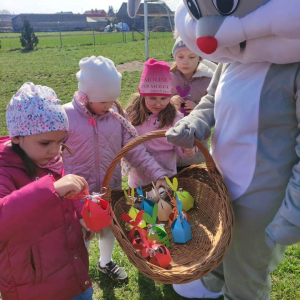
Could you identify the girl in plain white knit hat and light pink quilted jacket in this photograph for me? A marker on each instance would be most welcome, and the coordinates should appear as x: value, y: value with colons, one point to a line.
x: 96, y: 135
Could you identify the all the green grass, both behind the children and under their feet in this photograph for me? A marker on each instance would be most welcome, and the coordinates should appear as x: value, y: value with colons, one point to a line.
x: 56, y: 68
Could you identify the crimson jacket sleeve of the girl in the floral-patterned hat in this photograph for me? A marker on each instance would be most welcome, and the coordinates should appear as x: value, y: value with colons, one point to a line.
x: 17, y: 207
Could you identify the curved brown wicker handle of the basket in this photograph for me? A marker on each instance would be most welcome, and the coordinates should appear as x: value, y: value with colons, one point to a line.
x: 210, y: 164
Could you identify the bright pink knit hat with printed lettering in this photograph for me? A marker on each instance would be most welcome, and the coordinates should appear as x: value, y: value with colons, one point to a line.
x: 156, y: 79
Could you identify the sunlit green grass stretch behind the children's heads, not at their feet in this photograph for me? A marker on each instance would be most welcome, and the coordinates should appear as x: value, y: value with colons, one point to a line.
x: 57, y: 68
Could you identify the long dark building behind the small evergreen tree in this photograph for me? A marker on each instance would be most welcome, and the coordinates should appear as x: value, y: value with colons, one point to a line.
x: 51, y: 22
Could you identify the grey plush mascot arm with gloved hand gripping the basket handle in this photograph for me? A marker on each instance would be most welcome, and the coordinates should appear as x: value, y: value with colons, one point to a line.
x: 199, y: 122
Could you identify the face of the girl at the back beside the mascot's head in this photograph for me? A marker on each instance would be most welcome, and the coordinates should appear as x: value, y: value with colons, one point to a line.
x: 186, y: 61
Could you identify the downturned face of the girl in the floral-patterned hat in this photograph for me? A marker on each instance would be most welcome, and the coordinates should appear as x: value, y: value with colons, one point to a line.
x: 43, y: 147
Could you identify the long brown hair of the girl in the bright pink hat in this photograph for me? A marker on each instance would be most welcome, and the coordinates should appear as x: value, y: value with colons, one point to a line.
x: 138, y: 112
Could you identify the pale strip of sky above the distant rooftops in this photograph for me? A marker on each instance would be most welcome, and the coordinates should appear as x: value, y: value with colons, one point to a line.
x: 53, y: 6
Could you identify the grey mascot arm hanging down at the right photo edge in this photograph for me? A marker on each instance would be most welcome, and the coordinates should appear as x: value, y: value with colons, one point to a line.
x: 285, y: 227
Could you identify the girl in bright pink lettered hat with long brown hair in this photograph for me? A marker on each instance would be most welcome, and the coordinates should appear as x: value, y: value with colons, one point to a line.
x: 151, y: 110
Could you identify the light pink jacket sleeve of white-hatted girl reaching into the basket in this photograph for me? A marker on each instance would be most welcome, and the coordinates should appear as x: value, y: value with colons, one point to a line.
x: 140, y: 159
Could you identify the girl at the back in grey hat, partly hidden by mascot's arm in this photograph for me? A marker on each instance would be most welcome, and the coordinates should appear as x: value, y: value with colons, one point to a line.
x: 190, y: 78
